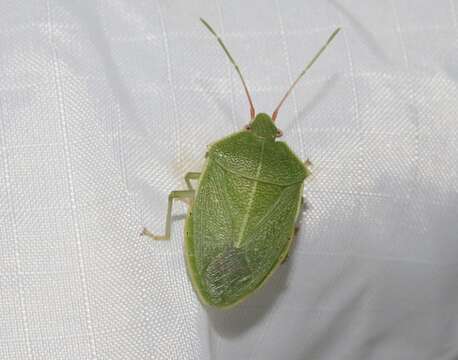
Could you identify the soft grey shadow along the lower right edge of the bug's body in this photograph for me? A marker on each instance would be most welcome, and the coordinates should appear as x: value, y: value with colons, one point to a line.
x: 233, y: 322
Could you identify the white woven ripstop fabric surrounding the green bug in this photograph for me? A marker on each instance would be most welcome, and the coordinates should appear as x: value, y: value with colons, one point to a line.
x: 105, y: 105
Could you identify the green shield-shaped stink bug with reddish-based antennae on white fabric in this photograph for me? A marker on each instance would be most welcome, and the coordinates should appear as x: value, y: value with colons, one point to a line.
x: 242, y: 214
